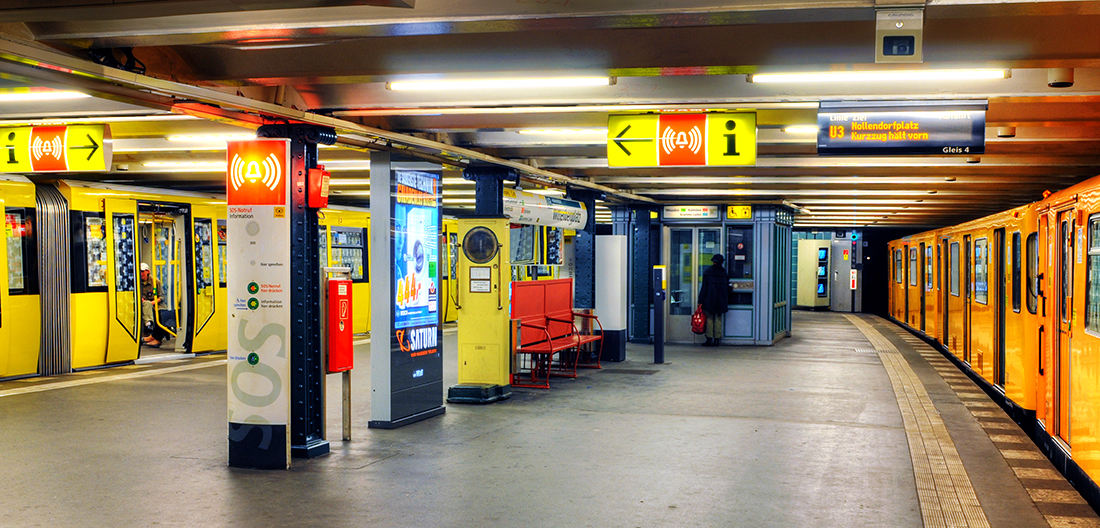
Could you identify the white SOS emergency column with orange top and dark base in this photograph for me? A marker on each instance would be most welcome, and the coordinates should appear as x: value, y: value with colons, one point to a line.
x: 259, y: 299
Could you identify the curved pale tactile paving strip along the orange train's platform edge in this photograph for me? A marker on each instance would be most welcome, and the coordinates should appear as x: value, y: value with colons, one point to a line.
x: 943, y: 488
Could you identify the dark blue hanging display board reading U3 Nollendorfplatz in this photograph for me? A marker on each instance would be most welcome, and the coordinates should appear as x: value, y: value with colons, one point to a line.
x: 903, y: 128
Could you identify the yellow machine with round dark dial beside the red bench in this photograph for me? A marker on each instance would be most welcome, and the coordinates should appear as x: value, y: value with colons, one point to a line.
x: 482, y: 296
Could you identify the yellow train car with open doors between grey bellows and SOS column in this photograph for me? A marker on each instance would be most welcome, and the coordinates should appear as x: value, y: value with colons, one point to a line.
x: 115, y: 232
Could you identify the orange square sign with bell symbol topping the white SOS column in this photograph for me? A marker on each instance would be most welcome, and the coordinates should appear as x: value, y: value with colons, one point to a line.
x: 258, y: 172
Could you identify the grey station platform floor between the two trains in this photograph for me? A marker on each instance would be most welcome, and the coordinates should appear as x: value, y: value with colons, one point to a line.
x: 806, y: 434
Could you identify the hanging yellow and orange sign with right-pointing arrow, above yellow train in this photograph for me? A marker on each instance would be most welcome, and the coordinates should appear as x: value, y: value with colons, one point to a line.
x: 56, y: 149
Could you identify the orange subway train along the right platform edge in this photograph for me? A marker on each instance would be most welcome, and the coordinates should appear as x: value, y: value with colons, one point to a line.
x: 1015, y: 301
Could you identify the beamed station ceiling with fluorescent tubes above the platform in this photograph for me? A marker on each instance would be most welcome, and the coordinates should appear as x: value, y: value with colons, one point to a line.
x: 333, y: 60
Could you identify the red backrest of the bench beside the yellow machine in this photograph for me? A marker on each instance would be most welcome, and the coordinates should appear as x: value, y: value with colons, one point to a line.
x: 532, y: 301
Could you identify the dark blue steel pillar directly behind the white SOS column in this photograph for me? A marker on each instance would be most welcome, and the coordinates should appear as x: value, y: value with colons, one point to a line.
x: 307, y: 371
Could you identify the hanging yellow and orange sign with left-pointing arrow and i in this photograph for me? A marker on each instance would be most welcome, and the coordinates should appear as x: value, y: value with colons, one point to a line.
x: 681, y: 140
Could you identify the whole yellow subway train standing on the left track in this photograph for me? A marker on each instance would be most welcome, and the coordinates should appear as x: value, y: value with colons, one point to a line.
x: 74, y: 252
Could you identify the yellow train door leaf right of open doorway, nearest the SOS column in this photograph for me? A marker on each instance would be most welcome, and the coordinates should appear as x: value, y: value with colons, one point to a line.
x: 204, y: 257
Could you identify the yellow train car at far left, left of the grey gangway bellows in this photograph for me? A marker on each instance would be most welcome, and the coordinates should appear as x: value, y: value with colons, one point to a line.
x: 20, y: 310
